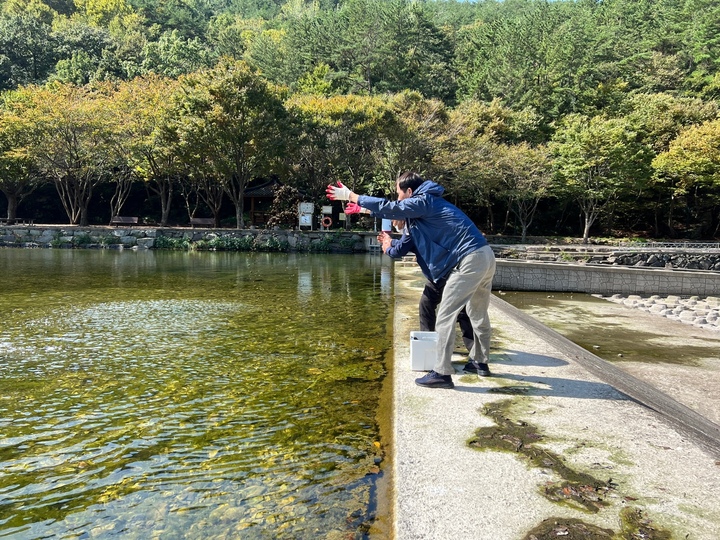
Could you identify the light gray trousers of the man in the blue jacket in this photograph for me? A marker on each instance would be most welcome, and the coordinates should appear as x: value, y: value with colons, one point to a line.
x: 469, y: 285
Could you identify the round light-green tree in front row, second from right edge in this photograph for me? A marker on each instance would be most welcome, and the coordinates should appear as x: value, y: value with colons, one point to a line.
x: 595, y: 160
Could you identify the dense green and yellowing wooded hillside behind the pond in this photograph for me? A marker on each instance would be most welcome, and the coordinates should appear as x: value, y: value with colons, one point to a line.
x: 562, y: 117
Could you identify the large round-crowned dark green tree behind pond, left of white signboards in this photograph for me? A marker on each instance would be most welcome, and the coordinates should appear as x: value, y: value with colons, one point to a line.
x: 229, y: 126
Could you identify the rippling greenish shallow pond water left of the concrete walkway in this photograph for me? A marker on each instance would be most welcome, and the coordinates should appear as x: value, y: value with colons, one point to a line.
x: 191, y: 395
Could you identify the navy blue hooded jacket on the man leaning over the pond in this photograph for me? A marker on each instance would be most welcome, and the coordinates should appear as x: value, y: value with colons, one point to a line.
x: 443, y: 235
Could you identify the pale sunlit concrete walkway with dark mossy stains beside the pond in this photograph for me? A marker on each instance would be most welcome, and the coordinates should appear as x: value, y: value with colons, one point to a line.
x: 642, y: 465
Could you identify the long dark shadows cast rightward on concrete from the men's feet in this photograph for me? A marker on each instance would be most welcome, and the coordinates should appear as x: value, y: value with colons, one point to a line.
x: 536, y: 385
